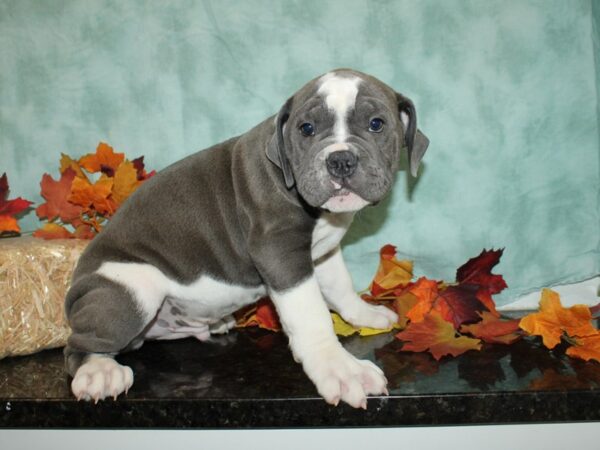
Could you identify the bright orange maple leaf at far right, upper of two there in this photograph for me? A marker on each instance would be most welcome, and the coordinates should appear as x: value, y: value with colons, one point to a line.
x: 553, y: 320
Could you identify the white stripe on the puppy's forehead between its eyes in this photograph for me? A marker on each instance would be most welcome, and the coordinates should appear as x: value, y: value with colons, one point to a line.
x: 340, y: 97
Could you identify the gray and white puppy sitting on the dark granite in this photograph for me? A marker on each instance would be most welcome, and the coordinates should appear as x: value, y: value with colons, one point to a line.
x: 262, y: 213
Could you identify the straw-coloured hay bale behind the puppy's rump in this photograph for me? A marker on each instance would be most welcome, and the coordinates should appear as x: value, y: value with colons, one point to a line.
x: 34, y: 277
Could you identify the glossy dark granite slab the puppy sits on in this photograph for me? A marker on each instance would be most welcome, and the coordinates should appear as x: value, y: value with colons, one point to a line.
x: 248, y: 379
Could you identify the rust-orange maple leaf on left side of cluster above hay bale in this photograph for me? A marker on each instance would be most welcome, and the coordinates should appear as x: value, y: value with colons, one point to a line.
x: 56, y: 194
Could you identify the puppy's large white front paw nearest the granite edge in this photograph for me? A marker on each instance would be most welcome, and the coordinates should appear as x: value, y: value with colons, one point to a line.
x: 340, y: 376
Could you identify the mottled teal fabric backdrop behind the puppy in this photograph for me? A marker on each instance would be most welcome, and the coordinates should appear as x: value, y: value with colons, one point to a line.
x: 505, y: 90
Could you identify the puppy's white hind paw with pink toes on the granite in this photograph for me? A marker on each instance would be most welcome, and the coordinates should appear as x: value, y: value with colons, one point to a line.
x: 100, y: 377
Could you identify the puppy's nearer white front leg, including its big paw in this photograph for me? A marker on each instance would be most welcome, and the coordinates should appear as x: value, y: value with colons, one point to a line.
x: 336, y: 373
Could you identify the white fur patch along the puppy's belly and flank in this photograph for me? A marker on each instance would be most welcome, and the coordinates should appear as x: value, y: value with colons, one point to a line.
x: 178, y: 310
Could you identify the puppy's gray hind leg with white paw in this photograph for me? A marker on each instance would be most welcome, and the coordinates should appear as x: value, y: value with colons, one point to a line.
x: 105, y: 319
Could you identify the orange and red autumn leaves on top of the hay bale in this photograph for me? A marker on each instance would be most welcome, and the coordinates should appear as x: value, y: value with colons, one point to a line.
x: 78, y: 204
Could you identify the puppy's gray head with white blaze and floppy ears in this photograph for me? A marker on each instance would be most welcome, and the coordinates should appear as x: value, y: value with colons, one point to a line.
x: 339, y: 139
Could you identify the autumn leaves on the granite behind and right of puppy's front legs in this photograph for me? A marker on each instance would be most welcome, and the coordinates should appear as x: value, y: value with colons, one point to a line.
x: 452, y: 318
